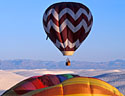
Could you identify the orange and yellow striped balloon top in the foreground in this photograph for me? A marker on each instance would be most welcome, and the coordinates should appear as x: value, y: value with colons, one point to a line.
x: 79, y: 86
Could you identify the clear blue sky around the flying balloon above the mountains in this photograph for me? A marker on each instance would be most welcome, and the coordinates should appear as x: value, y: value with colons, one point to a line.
x: 22, y: 35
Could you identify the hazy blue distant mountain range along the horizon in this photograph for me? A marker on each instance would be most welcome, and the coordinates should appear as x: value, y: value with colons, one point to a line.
x: 38, y: 64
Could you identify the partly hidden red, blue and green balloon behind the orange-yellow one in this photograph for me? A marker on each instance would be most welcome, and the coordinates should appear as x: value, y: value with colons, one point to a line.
x: 37, y: 82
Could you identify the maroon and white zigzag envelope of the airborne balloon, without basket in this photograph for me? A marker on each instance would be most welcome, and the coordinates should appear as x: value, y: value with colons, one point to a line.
x: 67, y: 24
